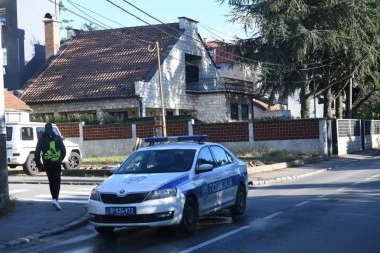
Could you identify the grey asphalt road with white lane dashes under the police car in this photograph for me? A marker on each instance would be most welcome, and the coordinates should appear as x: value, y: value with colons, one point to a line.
x: 333, y: 211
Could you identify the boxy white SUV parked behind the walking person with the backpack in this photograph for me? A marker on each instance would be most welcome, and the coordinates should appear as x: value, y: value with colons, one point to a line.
x: 21, y: 143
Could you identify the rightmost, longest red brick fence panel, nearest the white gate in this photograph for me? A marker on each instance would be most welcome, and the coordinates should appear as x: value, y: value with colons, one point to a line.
x: 286, y: 130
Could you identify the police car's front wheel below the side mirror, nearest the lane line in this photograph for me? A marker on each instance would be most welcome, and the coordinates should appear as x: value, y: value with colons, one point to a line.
x: 189, y: 216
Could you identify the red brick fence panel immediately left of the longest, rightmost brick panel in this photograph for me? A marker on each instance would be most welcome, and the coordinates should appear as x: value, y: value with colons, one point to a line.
x: 223, y: 132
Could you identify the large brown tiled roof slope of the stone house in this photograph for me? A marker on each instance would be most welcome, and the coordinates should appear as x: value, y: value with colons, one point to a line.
x: 101, y: 64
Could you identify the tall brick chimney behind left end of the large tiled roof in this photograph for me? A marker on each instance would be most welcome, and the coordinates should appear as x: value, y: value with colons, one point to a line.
x: 52, y: 40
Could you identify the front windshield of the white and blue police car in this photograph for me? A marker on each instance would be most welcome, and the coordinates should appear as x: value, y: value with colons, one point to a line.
x: 158, y: 161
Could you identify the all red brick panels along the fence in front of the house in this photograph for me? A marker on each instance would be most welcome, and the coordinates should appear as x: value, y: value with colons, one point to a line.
x: 217, y: 132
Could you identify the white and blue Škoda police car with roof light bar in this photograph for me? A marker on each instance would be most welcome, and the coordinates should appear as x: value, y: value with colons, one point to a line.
x: 171, y: 182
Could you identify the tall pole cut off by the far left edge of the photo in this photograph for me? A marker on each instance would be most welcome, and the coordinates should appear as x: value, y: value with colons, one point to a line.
x: 4, y: 190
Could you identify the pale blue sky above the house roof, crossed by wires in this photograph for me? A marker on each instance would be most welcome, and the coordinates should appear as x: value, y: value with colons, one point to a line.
x: 211, y: 15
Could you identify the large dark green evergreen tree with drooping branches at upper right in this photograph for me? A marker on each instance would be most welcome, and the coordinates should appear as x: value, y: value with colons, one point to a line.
x: 305, y: 39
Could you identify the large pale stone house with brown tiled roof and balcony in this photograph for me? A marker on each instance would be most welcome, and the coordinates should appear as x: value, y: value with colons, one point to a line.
x: 116, y: 72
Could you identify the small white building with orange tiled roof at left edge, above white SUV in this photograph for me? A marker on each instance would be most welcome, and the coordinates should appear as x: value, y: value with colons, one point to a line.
x: 15, y: 109
